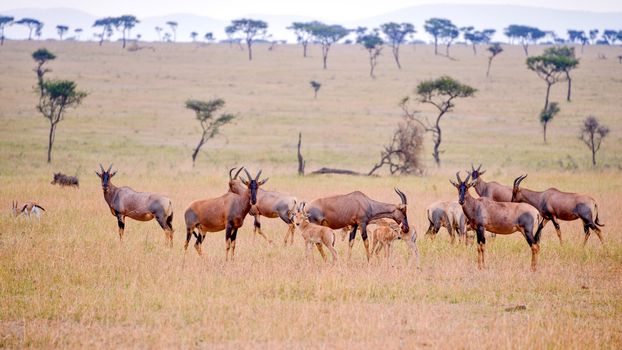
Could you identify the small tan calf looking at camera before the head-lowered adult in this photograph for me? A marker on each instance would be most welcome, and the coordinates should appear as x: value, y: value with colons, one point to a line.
x: 314, y: 234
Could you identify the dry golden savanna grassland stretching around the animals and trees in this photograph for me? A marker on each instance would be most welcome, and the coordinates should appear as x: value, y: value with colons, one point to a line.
x: 67, y: 281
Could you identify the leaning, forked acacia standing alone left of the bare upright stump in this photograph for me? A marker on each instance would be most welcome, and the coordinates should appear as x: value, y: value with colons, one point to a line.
x: 209, y: 123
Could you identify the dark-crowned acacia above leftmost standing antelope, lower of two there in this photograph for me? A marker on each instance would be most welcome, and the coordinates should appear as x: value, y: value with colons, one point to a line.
x: 56, y: 97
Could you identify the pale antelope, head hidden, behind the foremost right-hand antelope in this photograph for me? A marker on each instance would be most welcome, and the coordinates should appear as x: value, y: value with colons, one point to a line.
x: 449, y: 215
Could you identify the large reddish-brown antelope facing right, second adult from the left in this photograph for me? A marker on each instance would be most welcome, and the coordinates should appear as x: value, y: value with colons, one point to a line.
x: 226, y: 212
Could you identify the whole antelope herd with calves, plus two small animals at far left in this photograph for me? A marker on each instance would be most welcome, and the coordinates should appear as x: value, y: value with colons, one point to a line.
x: 499, y: 209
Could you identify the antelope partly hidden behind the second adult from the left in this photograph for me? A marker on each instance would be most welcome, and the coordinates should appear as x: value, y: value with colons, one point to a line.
x: 271, y: 204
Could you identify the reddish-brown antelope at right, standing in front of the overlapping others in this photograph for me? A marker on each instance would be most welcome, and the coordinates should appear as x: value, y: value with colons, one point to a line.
x: 499, y: 217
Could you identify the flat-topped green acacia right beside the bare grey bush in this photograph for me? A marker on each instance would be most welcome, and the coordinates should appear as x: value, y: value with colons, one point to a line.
x: 440, y: 93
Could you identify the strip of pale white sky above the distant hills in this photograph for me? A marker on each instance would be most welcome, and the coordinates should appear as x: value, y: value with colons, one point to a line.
x: 328, y: 9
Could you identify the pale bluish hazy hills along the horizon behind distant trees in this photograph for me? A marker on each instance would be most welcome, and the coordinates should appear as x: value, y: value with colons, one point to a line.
x: 480, y: 16
